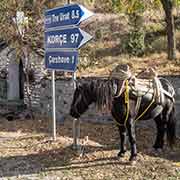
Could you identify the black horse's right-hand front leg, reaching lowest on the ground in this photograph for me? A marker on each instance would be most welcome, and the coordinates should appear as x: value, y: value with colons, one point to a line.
x: 132, y: 138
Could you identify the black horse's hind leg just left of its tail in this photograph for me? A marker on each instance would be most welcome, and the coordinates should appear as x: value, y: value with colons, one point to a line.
x: 160, y: 125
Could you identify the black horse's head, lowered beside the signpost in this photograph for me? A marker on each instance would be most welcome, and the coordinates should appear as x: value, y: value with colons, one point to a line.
x: 83, y: 97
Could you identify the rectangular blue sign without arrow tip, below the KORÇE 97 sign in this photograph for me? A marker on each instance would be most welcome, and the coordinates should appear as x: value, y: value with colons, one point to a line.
x: 61, y: 60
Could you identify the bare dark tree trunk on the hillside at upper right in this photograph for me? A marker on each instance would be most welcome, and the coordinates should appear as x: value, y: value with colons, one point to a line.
x: 168, y: 8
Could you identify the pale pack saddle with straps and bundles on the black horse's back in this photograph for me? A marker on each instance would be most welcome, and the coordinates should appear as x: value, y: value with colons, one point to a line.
x: 146, y: 85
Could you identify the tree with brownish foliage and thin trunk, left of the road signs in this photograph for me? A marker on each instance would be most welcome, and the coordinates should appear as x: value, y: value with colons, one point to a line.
x: 22, y: 29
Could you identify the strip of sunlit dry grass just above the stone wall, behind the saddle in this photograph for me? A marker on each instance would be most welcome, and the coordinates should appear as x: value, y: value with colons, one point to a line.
x: 158, y: 61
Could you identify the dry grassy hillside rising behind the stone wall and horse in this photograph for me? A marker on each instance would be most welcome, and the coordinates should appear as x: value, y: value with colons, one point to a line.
x: 105, y: 51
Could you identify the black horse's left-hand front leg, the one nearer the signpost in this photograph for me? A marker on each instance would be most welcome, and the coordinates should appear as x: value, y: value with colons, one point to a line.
x: 122, y: 133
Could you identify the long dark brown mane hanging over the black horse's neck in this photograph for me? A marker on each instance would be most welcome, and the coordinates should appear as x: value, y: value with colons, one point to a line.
x: 102, y: 92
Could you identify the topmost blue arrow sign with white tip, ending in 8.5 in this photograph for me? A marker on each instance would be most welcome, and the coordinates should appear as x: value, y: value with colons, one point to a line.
x: 66, y: 16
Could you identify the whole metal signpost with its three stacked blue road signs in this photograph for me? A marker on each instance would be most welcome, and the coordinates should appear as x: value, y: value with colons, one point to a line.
x: 63, y: 38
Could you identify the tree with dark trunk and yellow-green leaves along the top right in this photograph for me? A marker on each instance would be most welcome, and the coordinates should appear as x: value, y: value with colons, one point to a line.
x: 140, y: 5
